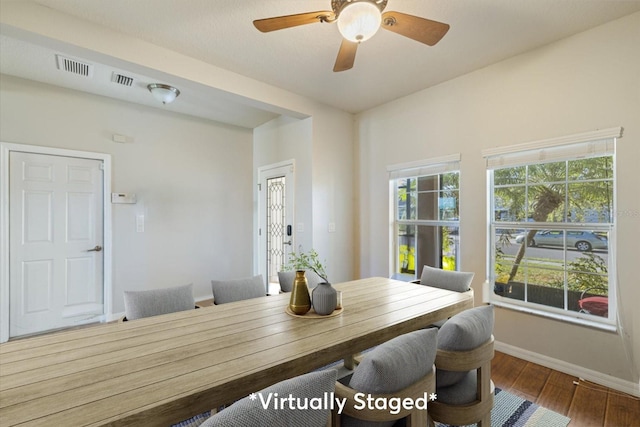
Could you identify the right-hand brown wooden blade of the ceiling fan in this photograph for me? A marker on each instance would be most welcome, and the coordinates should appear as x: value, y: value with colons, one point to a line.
x: 419, y: 29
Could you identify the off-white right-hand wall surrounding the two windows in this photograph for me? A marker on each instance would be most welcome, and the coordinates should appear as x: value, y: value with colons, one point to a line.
x: 586, y: 82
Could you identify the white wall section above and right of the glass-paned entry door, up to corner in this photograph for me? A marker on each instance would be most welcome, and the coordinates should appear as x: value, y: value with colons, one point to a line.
x: 322, y: 147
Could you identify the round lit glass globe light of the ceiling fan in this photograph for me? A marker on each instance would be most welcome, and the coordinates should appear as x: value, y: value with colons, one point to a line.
x: 359, y: 21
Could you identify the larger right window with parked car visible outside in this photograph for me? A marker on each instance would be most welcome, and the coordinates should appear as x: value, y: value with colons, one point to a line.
x: 552, y: 227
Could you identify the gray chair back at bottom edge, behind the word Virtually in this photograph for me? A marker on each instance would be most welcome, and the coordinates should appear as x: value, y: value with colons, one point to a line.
x: 248, y: 412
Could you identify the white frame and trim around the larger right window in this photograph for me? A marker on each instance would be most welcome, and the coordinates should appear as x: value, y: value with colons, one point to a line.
x: 520, y: 153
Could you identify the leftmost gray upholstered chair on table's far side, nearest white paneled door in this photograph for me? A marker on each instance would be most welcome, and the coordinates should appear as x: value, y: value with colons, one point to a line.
x: 139, y: 304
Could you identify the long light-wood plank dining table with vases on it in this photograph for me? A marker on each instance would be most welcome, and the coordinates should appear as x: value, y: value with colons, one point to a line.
x: 164, y: 369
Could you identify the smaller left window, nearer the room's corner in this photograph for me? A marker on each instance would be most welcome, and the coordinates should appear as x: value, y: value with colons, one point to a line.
x: 426, y: 201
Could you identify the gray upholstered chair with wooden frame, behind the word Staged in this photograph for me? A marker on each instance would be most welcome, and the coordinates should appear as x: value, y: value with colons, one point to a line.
x: 400, y: 368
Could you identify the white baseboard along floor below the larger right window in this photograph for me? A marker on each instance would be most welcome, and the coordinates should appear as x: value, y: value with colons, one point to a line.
x: 570, y: 369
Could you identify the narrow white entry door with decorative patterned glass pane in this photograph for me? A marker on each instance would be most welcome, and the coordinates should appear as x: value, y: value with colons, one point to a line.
x: 276, y: 235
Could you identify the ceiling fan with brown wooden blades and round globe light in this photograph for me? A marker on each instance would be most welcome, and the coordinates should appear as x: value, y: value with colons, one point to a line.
x: 359, y: 20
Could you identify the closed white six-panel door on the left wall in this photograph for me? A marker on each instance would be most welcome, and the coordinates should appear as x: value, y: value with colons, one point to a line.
x: 55, y: 242
